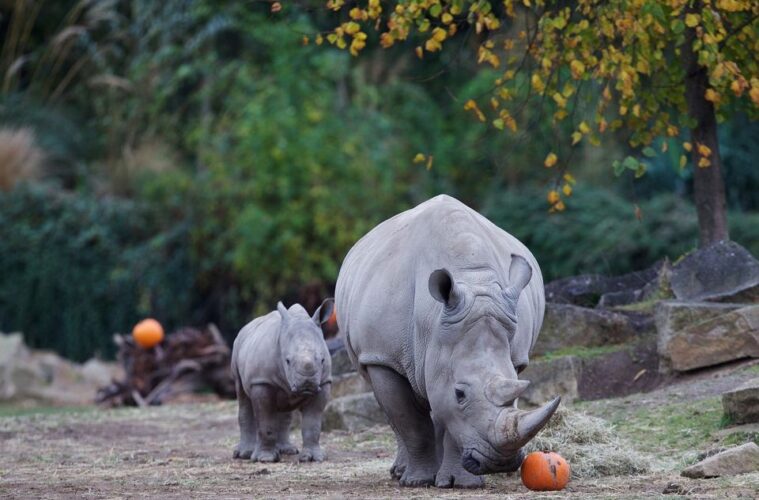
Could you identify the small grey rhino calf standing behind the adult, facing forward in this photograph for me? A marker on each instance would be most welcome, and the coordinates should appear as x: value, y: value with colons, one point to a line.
x: 281, y: 363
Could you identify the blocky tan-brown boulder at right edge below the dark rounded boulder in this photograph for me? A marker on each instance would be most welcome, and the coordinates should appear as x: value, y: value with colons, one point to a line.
x: 696, y: 335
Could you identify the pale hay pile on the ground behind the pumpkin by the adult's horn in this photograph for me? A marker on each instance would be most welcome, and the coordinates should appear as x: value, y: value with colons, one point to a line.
x: 590, y: 445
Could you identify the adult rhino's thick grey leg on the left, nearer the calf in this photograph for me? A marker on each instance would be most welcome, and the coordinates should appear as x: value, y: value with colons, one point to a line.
x: 412, y: 425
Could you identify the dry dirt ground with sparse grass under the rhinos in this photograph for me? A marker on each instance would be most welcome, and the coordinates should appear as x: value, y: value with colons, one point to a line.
x: 182, y: 451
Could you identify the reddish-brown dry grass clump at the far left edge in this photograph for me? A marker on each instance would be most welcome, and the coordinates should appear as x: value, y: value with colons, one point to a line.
x: 20, y: 158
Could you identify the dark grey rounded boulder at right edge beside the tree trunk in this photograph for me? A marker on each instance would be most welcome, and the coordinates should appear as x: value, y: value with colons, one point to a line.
x: 724, y: 271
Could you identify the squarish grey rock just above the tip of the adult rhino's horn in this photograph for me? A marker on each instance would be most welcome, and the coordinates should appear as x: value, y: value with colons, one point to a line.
x: 550, y: 378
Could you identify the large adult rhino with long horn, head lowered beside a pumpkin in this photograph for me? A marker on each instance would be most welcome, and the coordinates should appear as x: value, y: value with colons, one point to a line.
x: 440, y: 309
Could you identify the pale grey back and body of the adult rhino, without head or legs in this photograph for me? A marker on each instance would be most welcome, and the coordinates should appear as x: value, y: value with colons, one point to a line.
x: 383, y: 302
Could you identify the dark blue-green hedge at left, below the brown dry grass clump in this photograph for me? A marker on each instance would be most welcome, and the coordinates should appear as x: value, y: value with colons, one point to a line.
x: 75, y: 269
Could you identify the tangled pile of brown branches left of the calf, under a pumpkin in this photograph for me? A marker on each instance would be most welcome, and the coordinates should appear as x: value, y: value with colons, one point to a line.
x: 187, y: 360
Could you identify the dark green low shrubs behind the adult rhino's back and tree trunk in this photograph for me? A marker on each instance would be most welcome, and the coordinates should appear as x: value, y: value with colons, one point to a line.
x: 601, y: 234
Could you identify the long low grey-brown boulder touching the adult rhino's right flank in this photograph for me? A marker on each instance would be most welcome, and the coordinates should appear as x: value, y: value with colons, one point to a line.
x: 566, y: 325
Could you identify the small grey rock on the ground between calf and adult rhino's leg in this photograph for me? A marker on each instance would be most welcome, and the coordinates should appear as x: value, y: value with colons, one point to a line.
x: 353, y: 413
